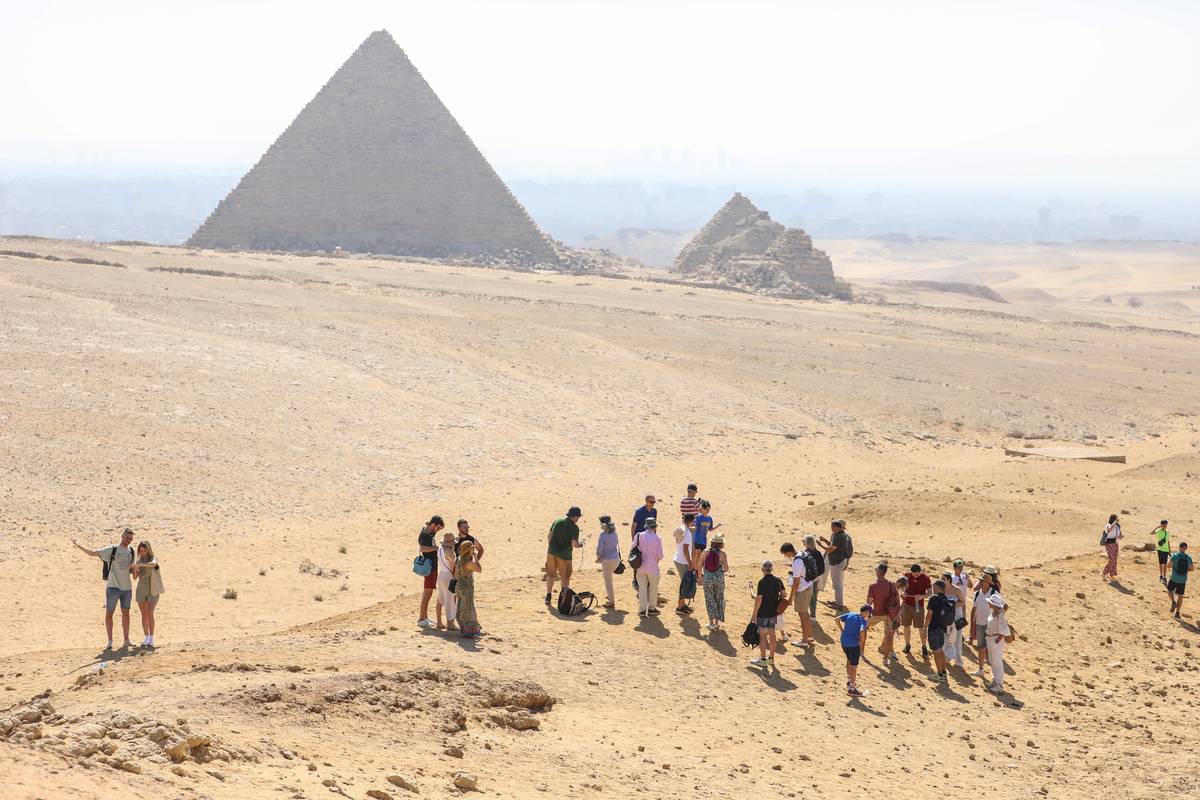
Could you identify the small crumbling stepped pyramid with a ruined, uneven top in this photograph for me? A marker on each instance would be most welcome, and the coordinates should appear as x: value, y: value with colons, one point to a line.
x: 742, y: 248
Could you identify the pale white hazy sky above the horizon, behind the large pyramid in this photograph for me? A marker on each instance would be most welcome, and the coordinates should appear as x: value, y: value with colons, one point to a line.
x: 1058, y: 93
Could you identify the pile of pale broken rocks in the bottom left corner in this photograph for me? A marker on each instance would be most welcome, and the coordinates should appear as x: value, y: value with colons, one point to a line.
x: 117, y: 739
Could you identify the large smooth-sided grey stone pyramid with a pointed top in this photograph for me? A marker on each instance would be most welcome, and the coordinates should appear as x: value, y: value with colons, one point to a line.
x: 376, y: 164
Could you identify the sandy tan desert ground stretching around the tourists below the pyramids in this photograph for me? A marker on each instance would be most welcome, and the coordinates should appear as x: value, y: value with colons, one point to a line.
x: 281, y: 425
